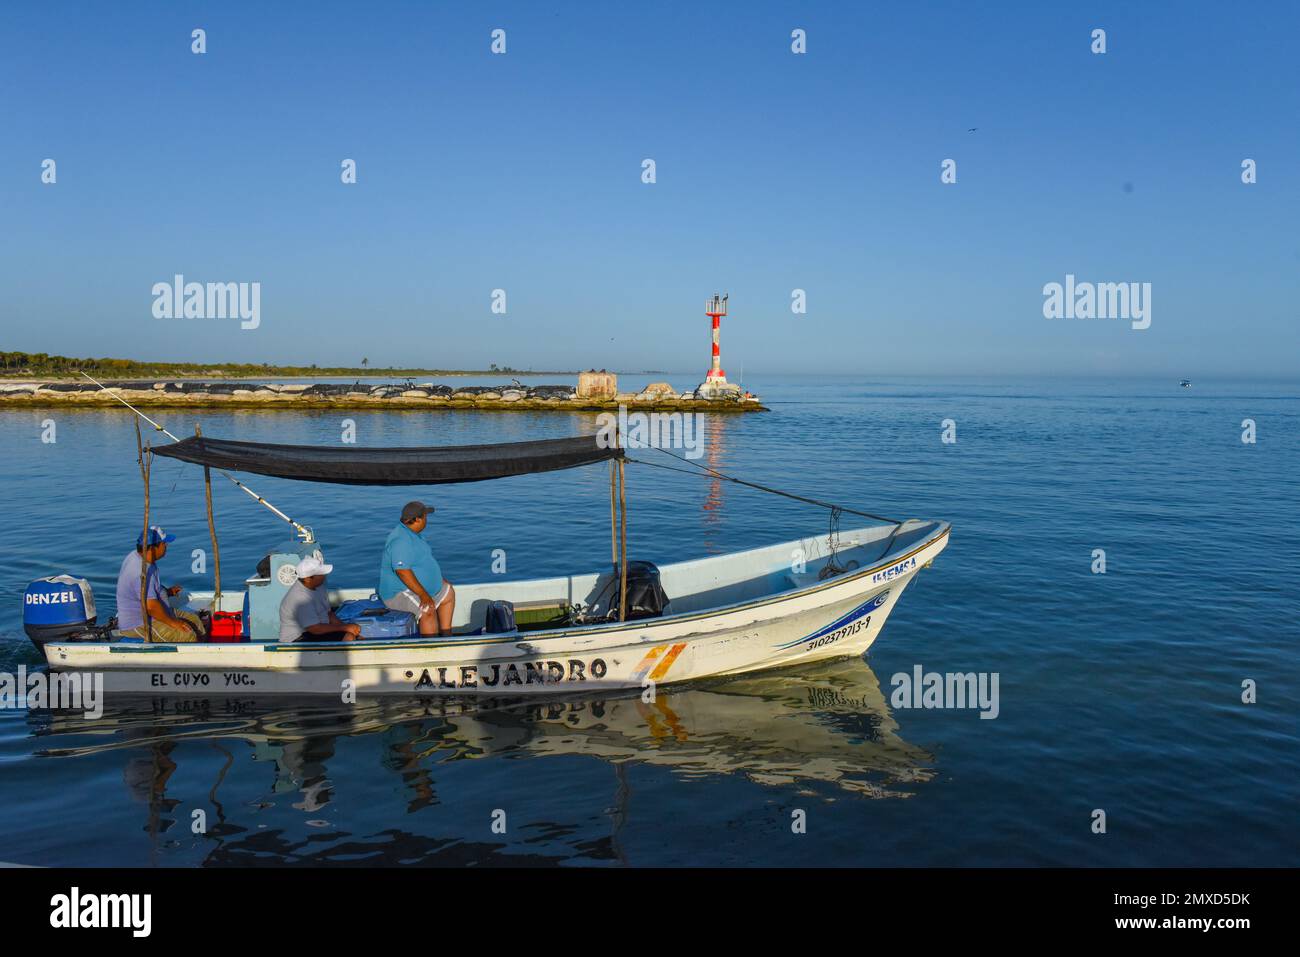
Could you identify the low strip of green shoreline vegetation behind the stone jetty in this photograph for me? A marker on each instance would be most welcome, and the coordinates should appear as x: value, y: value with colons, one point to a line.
x: 41, y: 366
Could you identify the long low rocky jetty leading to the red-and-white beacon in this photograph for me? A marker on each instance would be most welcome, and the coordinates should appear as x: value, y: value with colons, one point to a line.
x: 359, y: 396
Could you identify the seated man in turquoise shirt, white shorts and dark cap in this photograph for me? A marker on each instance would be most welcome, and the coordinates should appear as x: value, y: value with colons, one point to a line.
x: 411, y: 578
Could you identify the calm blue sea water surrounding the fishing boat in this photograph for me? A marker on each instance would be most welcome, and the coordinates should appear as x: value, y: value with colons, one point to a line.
x: 1119, y: 692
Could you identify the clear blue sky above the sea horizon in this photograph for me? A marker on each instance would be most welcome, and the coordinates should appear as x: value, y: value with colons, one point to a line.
x: 775, y: 172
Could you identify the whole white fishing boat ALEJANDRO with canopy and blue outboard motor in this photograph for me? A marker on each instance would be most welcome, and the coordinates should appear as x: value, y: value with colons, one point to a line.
x: 631, y: 625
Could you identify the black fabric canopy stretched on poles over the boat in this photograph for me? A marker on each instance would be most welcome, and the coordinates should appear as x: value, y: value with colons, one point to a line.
x: 431, y: 466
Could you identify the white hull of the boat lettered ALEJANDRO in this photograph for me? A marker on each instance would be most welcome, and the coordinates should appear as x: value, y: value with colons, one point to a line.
x: 809, y: 621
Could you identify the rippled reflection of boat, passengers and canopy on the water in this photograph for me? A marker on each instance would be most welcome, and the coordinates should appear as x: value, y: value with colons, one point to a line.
x: 825, y: 726
